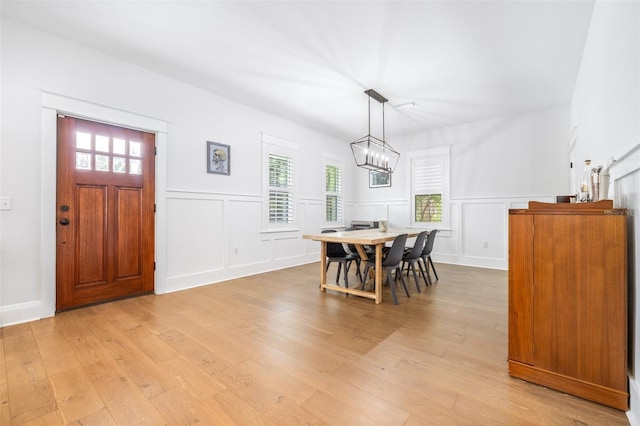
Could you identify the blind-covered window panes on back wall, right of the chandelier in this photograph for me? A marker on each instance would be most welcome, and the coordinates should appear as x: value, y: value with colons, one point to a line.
x: 428, y: 188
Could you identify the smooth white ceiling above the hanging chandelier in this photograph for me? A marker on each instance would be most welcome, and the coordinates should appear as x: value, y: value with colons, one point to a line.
x: 308, y: 61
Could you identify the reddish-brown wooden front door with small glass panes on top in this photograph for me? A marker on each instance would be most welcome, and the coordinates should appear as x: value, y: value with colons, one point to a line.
x: 104, y: 212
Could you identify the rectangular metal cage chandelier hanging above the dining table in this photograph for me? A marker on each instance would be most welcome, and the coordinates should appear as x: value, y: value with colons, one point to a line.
x: 370, y: 152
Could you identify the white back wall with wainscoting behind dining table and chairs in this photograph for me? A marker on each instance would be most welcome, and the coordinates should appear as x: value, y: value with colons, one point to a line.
x: 530, y: 149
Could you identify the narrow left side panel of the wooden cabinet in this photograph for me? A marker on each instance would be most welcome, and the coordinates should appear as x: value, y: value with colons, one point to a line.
x: 521, y: 288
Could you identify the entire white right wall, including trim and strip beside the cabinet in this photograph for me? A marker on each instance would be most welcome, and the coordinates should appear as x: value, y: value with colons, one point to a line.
x: 606, y: 116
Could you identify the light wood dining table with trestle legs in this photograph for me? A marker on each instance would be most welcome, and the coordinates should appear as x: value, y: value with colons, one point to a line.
x: 359, y: 238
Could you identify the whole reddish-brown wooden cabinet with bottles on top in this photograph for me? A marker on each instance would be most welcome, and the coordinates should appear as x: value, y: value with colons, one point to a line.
x: 568, y: 299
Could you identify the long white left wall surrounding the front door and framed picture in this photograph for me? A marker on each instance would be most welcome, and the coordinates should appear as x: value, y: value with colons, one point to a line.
x: 208, y: 226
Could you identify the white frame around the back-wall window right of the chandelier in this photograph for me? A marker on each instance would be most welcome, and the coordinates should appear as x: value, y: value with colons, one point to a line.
x: 443, y: 156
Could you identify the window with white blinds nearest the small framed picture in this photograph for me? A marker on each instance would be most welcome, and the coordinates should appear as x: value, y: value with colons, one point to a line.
x: 280, y: 188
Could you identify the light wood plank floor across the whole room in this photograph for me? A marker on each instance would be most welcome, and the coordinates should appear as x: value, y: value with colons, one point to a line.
x: 271, y: 349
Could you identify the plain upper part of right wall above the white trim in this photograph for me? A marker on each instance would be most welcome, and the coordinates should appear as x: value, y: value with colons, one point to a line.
x: 605, y: 106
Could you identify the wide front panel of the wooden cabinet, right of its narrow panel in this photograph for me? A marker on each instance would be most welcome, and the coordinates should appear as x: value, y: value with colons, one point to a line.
x: 580, y: 305
